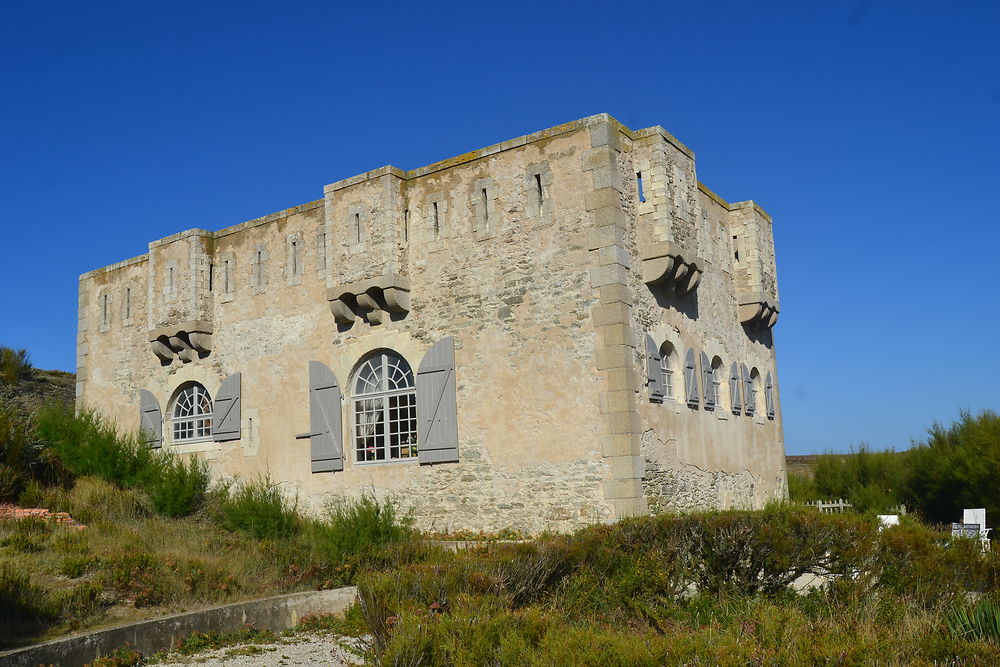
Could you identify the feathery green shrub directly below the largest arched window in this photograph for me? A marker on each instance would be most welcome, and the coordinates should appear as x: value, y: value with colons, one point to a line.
x: 354, y: 527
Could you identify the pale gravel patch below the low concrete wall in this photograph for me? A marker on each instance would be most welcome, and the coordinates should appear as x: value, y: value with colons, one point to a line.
x: 299, y: 649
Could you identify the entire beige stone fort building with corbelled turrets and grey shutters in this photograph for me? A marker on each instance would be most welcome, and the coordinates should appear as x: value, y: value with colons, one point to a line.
x: 561, y: 329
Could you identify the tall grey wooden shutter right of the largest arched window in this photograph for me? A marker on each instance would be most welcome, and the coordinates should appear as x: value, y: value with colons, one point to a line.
x: 437, y: 405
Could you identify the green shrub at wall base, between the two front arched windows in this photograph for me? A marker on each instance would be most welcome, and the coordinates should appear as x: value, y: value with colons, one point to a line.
x: 256, y: 508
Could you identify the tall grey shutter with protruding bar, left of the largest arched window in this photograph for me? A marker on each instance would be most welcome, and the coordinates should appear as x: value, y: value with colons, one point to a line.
x: 325, y: 421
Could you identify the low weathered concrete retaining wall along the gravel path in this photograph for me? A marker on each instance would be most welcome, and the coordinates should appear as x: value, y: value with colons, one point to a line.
x: 274, y: 613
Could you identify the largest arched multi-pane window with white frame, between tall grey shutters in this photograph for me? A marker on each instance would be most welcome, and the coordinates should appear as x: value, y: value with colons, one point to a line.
x: 385, y: 409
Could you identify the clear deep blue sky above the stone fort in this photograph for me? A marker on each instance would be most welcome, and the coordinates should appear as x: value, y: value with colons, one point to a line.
x: 869, y: 130
